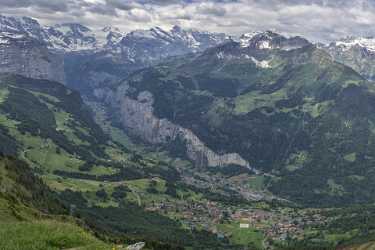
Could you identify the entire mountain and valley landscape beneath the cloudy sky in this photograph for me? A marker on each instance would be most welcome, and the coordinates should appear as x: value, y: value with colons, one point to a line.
x: 187, y: 139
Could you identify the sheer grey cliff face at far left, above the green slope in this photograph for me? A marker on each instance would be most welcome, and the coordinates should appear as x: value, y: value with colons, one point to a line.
x: 28, y: 57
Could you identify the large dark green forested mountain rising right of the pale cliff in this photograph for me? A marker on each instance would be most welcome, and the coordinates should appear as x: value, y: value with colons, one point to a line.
x: 296, y: 114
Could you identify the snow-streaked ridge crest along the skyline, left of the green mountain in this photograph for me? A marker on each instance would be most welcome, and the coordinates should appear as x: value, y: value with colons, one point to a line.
x: 74, y: 37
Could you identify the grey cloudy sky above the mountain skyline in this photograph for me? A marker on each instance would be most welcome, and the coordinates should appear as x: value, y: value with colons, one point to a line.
x: 318, y: 20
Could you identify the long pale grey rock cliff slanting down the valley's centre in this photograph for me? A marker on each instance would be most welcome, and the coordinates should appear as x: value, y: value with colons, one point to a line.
x: 138, y: 119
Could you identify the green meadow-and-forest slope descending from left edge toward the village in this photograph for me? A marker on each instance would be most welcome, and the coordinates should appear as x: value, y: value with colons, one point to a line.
x: 100, y: 181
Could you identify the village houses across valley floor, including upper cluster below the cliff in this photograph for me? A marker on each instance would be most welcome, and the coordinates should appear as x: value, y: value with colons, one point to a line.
x: 278, y: 223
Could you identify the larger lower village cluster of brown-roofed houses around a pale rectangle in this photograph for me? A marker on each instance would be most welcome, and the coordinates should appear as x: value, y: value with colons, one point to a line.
x: 274, y: 224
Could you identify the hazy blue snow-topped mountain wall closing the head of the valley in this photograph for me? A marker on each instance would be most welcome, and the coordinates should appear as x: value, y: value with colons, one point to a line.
x: 119, y: 54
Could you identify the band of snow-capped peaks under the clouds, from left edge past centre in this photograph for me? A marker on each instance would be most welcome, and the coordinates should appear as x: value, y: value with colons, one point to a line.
x: 75, y: 37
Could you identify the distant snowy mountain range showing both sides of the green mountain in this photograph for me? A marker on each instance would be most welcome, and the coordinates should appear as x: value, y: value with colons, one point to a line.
x: 126, y: 52
